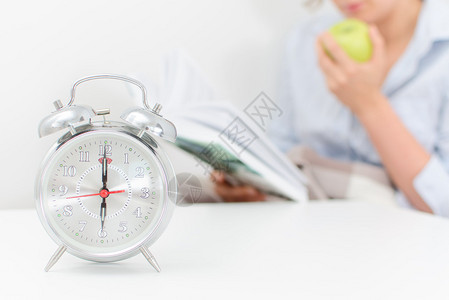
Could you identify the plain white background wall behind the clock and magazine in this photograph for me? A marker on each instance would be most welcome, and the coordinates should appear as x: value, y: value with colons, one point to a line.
x: 46, y: 45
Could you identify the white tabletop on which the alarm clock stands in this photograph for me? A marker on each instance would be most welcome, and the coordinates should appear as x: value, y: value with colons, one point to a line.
x: 333, y: 250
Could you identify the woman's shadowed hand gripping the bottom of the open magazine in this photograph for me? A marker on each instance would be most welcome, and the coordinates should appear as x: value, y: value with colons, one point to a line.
x: 230, y: 193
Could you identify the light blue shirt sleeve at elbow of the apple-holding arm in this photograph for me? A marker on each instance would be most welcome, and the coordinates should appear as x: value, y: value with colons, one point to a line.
x: 432, y: 183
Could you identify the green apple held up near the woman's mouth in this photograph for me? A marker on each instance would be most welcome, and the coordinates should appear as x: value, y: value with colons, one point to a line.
x: 353, y: 36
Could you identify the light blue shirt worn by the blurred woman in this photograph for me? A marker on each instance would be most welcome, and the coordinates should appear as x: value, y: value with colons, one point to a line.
x: 417, y: 88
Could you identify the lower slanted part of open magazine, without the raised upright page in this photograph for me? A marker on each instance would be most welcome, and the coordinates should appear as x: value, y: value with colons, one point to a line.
x: 222, y: 138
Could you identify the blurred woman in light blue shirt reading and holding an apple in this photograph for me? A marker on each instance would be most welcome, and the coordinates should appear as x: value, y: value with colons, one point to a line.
x: 391, y: 111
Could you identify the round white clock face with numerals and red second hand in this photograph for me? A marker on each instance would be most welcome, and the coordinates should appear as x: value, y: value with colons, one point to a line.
x: 103, y: 193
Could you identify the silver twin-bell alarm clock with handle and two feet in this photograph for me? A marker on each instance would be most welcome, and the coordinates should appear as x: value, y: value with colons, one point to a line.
x: 106, y: 190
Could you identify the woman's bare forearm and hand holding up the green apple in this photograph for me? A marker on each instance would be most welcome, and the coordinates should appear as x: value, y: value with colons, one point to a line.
x: 358, y: 86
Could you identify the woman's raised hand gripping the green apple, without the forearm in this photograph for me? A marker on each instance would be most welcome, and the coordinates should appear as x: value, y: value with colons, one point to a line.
x: 356, y: 85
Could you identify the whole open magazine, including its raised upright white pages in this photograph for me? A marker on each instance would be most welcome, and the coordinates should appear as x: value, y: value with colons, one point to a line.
x: 218, y: 135
